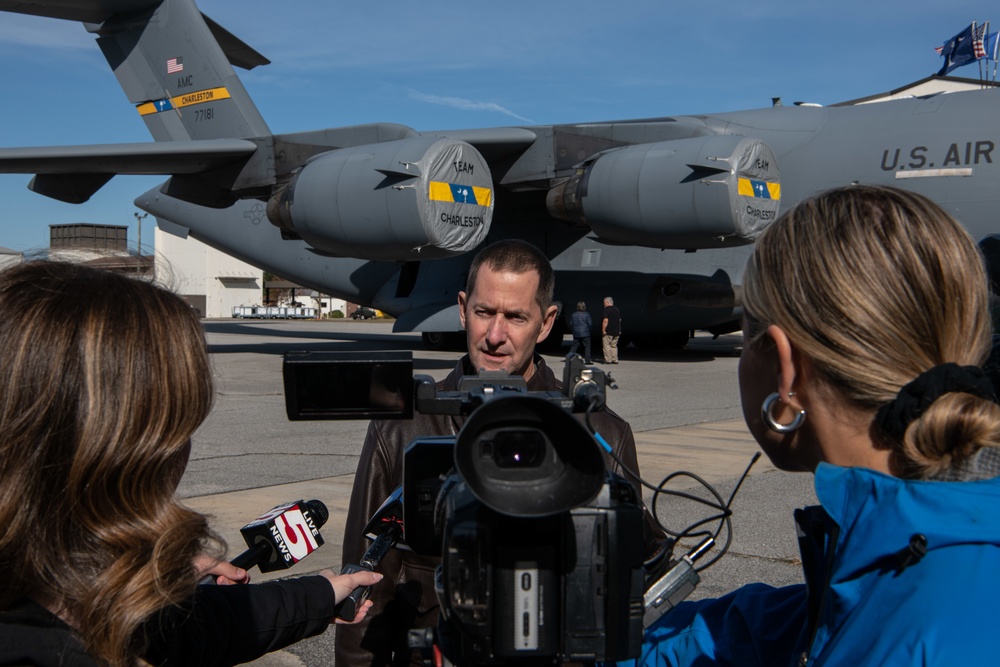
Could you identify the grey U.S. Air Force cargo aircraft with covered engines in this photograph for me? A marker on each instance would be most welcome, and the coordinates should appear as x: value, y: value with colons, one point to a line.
x: 659, y: 212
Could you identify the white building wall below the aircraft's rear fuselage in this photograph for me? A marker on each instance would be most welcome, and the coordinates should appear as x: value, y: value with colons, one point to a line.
x: 199, y: 272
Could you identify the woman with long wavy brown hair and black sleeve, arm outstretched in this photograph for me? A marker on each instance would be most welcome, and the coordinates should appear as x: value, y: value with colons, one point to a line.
x: 103, y: 380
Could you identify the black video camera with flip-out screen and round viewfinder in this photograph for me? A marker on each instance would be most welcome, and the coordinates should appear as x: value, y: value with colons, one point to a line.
x: 541, y: 546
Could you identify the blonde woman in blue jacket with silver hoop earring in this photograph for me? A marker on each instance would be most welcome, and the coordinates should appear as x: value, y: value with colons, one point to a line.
x: 866, y: 321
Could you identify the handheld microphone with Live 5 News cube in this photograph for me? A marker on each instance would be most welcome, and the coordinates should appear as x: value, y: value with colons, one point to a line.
x: 281, y: 537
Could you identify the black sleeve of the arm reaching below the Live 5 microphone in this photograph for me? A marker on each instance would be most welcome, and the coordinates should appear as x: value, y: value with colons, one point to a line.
x: 229, y: 625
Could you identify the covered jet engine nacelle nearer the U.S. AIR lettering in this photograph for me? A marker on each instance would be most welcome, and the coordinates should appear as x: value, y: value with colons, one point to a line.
x: 705, y: 192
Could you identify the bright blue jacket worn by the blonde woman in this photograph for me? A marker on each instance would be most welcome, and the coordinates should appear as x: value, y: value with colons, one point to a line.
x: 866, y: 607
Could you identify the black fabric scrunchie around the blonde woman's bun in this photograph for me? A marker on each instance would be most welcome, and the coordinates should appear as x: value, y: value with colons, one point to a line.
x: 914, y: 398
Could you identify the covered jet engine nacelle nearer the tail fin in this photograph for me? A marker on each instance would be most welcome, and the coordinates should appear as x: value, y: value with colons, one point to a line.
x: 420, y: 198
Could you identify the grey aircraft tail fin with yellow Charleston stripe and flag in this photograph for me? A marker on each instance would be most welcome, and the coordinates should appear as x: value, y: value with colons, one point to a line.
x: 175, y: 66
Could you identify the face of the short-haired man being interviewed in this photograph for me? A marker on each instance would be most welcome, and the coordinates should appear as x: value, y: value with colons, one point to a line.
x: 503, y: 322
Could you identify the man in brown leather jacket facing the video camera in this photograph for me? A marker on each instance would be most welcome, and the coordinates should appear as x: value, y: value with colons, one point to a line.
x: 506, y: 310
